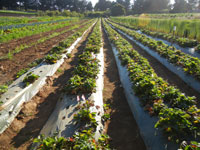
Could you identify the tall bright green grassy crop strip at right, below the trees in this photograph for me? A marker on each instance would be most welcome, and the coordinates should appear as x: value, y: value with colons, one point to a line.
x: 184, y: 28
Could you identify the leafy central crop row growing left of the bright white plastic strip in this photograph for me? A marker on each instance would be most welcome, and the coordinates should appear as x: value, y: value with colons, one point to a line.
x: 86, y: 70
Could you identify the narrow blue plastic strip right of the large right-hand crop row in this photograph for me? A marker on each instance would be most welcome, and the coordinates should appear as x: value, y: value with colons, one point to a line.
x: 190, y: 80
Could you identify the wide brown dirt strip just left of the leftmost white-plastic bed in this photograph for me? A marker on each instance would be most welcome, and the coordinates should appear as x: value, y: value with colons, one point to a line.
x: 9, y: 68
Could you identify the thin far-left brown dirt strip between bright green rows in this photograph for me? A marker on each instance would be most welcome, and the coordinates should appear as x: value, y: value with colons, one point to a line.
x: 11, y: 45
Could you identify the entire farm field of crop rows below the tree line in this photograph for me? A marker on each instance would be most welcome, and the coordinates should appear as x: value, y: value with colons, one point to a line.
x: 100, y: 83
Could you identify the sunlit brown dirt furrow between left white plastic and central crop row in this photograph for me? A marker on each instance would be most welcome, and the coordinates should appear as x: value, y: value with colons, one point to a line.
x: 35, y: 113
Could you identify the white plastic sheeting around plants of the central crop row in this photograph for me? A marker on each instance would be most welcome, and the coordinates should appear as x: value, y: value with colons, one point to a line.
x: 61, y: 120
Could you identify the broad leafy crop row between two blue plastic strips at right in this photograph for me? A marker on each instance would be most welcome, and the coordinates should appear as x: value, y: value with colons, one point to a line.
x: 178, y: 115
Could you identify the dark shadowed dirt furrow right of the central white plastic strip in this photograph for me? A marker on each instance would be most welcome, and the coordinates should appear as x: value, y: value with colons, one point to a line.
x: 122, y: 127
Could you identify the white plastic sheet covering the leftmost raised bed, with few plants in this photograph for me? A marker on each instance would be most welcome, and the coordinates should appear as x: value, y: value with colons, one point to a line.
x: 17, y: 94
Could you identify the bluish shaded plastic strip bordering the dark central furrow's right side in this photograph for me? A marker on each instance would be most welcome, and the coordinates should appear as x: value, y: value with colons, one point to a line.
x: 153, y: 138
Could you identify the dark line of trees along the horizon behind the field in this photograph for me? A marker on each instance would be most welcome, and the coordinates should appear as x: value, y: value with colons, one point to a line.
x: 119, y: 7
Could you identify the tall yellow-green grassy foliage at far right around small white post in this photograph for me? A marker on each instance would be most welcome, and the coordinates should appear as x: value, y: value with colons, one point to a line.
x: 164, y: 27
